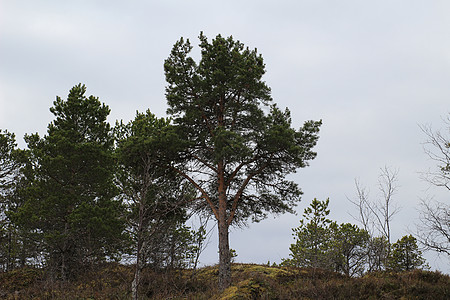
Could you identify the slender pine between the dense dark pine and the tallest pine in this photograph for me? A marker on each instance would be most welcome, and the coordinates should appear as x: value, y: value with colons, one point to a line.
x: 154, y: 195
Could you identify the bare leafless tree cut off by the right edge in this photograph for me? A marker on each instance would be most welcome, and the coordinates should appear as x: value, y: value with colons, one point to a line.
x: 433, y: 230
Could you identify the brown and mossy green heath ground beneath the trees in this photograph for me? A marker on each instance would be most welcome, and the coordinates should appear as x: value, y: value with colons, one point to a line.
x: 112, y: 281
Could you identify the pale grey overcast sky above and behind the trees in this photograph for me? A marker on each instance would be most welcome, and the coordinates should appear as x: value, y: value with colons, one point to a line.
x: 372, y: 71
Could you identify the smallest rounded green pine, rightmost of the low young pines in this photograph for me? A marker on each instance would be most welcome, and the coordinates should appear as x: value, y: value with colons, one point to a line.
x: 405, y: 255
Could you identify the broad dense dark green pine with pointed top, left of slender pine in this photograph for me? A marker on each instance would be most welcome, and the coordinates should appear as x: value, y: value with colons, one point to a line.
x: 70, y: 197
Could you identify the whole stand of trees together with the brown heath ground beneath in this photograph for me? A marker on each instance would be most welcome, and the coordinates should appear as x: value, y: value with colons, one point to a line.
x: 106, y: 206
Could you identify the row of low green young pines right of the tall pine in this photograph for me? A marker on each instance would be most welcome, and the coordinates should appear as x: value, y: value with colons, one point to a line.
x: 323, y: 244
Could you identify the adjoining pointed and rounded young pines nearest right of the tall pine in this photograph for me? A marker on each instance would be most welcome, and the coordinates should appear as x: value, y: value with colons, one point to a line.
x: 322, y: 243
